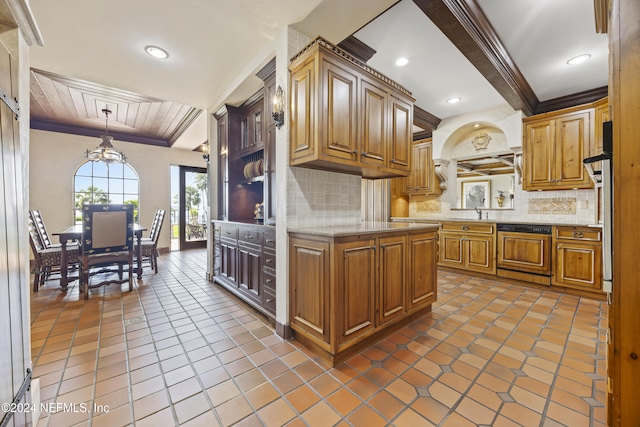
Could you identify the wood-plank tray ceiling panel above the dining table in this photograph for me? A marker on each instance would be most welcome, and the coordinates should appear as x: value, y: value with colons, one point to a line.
x: 62, y: 104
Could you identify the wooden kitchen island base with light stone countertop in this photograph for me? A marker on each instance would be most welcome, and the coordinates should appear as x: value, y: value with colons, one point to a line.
x: 351, y: 285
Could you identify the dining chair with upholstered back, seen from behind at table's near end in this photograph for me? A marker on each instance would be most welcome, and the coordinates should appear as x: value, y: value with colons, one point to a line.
x: 107, y: 242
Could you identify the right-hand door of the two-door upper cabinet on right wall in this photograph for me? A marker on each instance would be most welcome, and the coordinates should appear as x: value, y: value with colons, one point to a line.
x: 572, y: 145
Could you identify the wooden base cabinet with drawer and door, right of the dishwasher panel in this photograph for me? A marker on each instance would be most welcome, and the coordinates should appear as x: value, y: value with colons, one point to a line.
x: 577, y: 257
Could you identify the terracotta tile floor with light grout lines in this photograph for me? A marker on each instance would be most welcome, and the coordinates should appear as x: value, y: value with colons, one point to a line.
x: 180, y: 351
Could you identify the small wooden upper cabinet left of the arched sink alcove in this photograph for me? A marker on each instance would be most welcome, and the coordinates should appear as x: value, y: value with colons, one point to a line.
x: 423, y: 179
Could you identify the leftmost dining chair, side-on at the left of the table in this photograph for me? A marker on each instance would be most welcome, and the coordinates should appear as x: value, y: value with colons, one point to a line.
x: 47, y: 260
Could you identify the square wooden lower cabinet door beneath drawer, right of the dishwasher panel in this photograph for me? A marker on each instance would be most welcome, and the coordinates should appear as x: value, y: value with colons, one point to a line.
x: 578, y: 265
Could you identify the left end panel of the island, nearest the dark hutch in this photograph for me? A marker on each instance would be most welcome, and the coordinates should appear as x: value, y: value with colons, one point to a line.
x: 309, y: 278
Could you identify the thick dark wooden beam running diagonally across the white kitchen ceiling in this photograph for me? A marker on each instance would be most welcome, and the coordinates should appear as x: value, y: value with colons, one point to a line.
x: 467, y: 27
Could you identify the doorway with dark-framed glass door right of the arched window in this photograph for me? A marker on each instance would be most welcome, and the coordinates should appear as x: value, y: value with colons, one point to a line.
x: 189, y: 207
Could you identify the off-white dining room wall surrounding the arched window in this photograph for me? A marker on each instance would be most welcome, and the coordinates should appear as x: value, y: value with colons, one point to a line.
x: 54, y: 158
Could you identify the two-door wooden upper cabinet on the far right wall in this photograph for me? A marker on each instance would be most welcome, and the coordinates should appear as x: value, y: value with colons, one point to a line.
x: 554, y: 146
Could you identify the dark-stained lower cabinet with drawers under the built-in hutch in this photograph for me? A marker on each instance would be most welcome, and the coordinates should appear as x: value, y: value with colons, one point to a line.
x: 245, y: 262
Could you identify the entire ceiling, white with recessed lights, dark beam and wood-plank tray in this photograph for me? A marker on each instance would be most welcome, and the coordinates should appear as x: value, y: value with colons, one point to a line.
x: 487, y: 52
